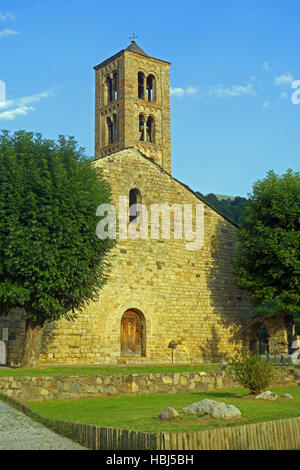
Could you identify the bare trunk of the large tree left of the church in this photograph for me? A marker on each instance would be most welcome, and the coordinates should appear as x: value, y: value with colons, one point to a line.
x: 32, y: 344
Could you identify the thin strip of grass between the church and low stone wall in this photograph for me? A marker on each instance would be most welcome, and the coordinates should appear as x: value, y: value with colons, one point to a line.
x: 100, y: 370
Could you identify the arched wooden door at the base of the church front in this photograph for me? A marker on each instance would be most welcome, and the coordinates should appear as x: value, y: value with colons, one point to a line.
x: 133, y: 334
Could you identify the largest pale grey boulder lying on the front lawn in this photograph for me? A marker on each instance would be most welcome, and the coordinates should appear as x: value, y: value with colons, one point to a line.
x: 213, y: 408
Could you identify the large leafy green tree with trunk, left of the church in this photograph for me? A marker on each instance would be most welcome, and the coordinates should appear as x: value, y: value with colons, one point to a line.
x: 51, y: 261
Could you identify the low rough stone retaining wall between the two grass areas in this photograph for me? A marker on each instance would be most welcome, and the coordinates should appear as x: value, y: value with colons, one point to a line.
x: 85, y: 386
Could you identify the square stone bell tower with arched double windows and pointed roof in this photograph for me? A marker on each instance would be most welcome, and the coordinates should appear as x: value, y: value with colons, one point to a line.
x: 132, y: 106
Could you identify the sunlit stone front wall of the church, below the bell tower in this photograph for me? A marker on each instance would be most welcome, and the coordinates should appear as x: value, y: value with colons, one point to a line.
x: 187, y: 294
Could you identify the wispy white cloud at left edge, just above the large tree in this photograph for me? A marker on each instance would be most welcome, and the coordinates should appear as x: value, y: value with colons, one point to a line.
x: 11, y: 109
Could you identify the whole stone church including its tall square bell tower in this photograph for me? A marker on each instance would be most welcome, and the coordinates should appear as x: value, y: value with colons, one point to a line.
x: 159, y: 293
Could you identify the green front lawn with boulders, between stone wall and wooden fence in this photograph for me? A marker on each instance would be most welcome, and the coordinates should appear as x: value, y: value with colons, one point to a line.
x: 140, y: 413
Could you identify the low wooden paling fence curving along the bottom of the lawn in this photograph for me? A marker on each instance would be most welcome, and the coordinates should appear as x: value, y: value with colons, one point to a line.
x: 281, y: 434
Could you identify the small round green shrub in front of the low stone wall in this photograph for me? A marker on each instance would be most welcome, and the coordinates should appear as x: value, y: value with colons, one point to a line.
x: 252, y: 373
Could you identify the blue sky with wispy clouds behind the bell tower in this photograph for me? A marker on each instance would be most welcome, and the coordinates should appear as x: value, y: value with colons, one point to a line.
x: 233, y: 66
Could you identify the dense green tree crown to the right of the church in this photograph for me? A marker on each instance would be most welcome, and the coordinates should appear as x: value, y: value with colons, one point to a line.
x: 268, y: 263
